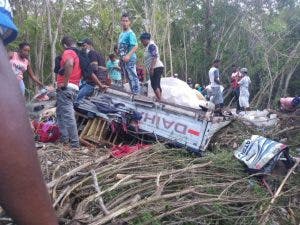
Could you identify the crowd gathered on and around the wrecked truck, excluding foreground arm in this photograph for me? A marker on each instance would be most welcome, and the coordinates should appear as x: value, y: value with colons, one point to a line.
x: 80, y: 68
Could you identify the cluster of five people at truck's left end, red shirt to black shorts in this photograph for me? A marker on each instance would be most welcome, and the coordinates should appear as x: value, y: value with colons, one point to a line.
x: 75, y: 78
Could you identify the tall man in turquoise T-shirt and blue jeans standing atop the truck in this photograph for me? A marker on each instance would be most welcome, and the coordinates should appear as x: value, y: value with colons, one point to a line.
x: 127, y: 46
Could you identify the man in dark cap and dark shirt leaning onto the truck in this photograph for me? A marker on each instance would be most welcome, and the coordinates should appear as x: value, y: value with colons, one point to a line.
x: 98, y: 77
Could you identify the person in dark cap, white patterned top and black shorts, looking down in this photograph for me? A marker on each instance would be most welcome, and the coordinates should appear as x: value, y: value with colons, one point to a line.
x: 153, y: 64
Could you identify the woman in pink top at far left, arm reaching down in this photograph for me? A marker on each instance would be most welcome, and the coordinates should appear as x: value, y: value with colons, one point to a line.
x: 20, y: 64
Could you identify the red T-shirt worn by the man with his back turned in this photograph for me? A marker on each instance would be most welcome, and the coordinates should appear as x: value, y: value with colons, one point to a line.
x: 76, y: 73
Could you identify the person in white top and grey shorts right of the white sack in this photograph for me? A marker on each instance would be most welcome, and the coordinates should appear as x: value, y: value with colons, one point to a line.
x: 215, y: 84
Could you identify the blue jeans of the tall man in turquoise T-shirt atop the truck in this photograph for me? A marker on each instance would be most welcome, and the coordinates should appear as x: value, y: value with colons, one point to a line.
x: 130, y: 68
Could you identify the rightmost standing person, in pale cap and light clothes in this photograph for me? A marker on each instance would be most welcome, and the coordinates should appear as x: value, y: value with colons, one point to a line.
x: 244, y: 89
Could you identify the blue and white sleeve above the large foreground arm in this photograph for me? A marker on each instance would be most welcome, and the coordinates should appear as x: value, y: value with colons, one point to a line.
x: 8, y: 30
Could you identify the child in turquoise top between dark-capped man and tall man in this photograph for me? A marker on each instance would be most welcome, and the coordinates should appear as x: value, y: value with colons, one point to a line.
x: 114, y: 70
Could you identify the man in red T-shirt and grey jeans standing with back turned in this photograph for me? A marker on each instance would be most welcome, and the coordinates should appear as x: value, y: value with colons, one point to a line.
x: 67, y: 89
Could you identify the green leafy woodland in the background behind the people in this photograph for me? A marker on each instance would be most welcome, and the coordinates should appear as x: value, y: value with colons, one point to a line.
x: 240, y: 32
